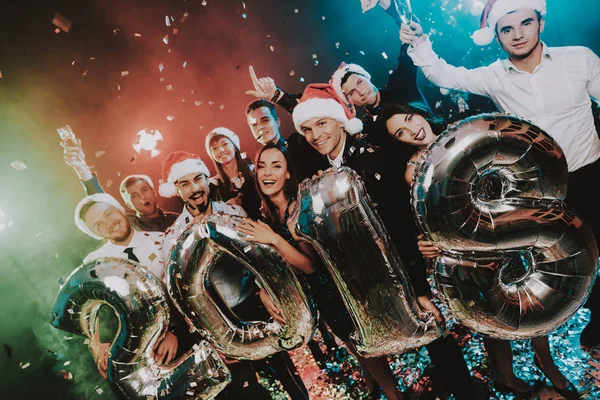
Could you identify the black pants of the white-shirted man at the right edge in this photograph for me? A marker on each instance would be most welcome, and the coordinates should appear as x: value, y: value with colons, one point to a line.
x: 580, y: 196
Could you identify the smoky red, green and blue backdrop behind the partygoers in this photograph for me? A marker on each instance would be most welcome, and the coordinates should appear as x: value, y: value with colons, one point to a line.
x: 44, y: 86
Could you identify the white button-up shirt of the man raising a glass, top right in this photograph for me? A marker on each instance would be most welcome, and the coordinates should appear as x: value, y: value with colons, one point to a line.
x: 555, y: 96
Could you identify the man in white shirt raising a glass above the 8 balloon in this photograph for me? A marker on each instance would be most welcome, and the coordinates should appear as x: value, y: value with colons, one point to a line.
x: 550, y: 86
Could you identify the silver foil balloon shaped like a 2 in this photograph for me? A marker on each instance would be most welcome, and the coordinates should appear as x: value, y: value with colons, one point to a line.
x: 140, y: 303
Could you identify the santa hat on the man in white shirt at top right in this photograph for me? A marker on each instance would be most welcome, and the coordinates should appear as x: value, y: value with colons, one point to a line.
x: 496, y: 9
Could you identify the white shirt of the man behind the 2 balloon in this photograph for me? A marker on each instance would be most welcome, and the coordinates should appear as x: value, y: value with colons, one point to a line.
x: 147, y: 247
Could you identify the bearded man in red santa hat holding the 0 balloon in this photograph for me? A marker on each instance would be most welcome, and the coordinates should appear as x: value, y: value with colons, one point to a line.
x: 186, y: 176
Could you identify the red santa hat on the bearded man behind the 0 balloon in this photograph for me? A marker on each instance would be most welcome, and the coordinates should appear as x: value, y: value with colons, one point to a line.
x: 177, y: 165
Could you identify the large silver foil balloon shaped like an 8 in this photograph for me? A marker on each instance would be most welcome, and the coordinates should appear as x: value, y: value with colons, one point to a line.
x: 516, y: 263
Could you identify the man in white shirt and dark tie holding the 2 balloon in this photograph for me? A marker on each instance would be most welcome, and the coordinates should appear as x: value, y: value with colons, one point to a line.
x: 102, y: 217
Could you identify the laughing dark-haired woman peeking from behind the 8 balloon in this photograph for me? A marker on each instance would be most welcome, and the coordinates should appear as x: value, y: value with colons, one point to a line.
x: 412, y: 129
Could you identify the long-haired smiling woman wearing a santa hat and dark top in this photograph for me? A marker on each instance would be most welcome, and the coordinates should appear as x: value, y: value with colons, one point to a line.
x: 234, y: 181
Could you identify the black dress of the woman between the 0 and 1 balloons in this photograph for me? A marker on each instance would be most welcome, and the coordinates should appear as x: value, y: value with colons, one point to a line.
x: 323, y: 289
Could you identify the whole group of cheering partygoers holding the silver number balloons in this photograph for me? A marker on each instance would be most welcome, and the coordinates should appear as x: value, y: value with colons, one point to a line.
x: 551, y: 86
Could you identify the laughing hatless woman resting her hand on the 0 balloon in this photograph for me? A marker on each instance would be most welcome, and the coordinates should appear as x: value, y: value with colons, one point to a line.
x: 277, y: 187
